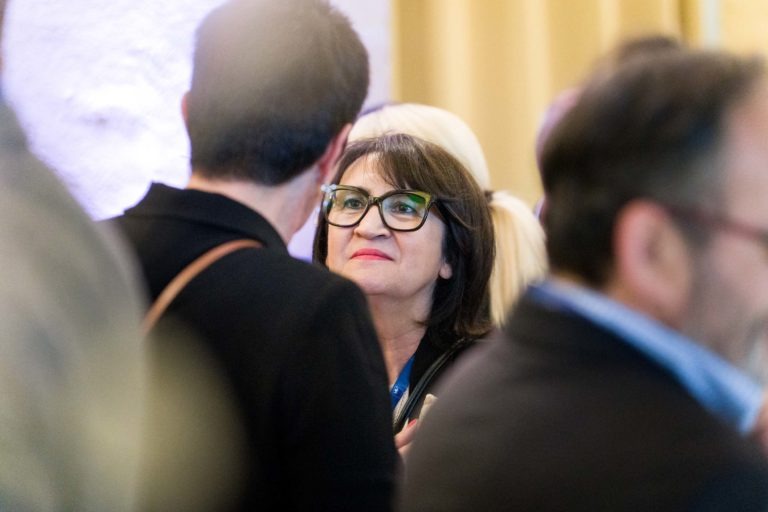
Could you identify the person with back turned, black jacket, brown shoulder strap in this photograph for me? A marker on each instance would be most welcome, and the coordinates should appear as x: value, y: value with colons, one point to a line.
x: 275, y: 88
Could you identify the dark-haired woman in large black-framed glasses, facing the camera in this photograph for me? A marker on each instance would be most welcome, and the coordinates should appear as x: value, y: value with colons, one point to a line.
x: 407, y: 222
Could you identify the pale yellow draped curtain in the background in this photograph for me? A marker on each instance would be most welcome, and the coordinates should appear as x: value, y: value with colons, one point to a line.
x: 499, y: 63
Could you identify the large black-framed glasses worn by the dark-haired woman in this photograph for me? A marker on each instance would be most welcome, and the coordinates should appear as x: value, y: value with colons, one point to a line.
x: 400, y: 210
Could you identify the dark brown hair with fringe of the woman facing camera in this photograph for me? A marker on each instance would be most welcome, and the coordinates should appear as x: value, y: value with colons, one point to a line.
x: 460, y: 304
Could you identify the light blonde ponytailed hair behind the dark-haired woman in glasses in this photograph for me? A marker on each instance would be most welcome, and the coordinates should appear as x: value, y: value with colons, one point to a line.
x: 520, y: 255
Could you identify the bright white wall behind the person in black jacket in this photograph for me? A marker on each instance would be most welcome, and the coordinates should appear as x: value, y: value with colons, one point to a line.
x: 98, y: 83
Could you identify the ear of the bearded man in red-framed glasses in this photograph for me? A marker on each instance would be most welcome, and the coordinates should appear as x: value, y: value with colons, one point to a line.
x: 652, y: 263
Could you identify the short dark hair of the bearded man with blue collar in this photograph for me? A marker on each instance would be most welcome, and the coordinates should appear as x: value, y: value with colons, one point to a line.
x: 651, y: 128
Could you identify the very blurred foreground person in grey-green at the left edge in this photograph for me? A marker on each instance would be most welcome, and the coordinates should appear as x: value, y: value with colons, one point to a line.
x: 72, y: 368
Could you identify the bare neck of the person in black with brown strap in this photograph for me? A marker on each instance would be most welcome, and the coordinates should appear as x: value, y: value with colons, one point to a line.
x: 285, y: 206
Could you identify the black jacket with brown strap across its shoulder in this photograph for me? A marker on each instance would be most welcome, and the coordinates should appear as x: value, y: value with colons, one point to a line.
x: 295, y: 343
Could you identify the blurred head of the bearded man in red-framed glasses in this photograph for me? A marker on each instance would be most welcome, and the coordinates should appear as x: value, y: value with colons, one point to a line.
x: 652, y: 177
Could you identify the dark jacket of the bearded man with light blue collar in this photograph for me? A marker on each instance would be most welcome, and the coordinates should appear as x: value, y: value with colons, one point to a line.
x: 558, y: 414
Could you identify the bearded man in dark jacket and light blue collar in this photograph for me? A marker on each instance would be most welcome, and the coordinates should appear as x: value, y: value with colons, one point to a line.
x: 621, y: 383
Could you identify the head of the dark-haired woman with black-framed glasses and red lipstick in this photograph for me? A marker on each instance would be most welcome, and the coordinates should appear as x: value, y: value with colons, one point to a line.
x: 443, y: 264
